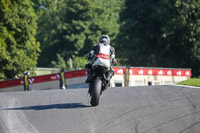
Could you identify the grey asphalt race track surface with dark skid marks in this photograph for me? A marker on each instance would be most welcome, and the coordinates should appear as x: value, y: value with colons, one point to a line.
x: 154, y: 109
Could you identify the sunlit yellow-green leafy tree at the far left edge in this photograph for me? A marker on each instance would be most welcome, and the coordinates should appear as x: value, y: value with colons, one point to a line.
x: 17, y: 37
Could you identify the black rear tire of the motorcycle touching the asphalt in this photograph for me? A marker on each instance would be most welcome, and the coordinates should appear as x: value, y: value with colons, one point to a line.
x: 96, y: 90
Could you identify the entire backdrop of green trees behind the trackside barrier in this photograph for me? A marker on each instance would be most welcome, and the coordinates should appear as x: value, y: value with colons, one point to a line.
x: 47, y: 33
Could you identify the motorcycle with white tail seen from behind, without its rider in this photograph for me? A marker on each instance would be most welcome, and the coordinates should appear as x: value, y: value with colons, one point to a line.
x: 101, y: 75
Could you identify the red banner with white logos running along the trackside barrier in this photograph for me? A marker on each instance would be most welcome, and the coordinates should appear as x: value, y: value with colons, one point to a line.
x: 83, y: 73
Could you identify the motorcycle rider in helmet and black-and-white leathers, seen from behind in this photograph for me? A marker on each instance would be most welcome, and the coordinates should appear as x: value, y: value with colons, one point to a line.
x: 105, y: 50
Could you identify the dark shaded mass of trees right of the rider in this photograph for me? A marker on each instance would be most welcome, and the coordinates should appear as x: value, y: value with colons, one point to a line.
x: 161, y: 33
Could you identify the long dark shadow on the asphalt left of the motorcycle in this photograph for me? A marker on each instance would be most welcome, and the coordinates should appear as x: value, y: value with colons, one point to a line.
x: 51, y: 106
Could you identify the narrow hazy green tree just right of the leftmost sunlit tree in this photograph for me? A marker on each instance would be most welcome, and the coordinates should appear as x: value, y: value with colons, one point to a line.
x: 50, y: 19
